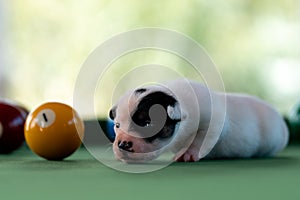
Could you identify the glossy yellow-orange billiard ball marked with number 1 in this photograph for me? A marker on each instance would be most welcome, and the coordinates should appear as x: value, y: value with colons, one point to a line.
x: 54, y: 131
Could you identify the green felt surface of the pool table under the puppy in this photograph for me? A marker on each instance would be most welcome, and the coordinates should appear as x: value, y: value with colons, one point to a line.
x: 24, y: 175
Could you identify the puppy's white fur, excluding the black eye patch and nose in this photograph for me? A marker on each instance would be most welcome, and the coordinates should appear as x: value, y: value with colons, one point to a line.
x: 213, y: 125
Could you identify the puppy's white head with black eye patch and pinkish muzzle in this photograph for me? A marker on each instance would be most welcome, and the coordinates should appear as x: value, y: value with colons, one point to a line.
x: 145, y: 122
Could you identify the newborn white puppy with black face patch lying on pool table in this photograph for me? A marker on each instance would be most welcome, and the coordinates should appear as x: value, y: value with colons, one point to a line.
x: 195, y: 123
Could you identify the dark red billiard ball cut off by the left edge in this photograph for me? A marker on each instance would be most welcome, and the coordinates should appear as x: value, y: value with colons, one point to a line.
x: 12, y: 120
